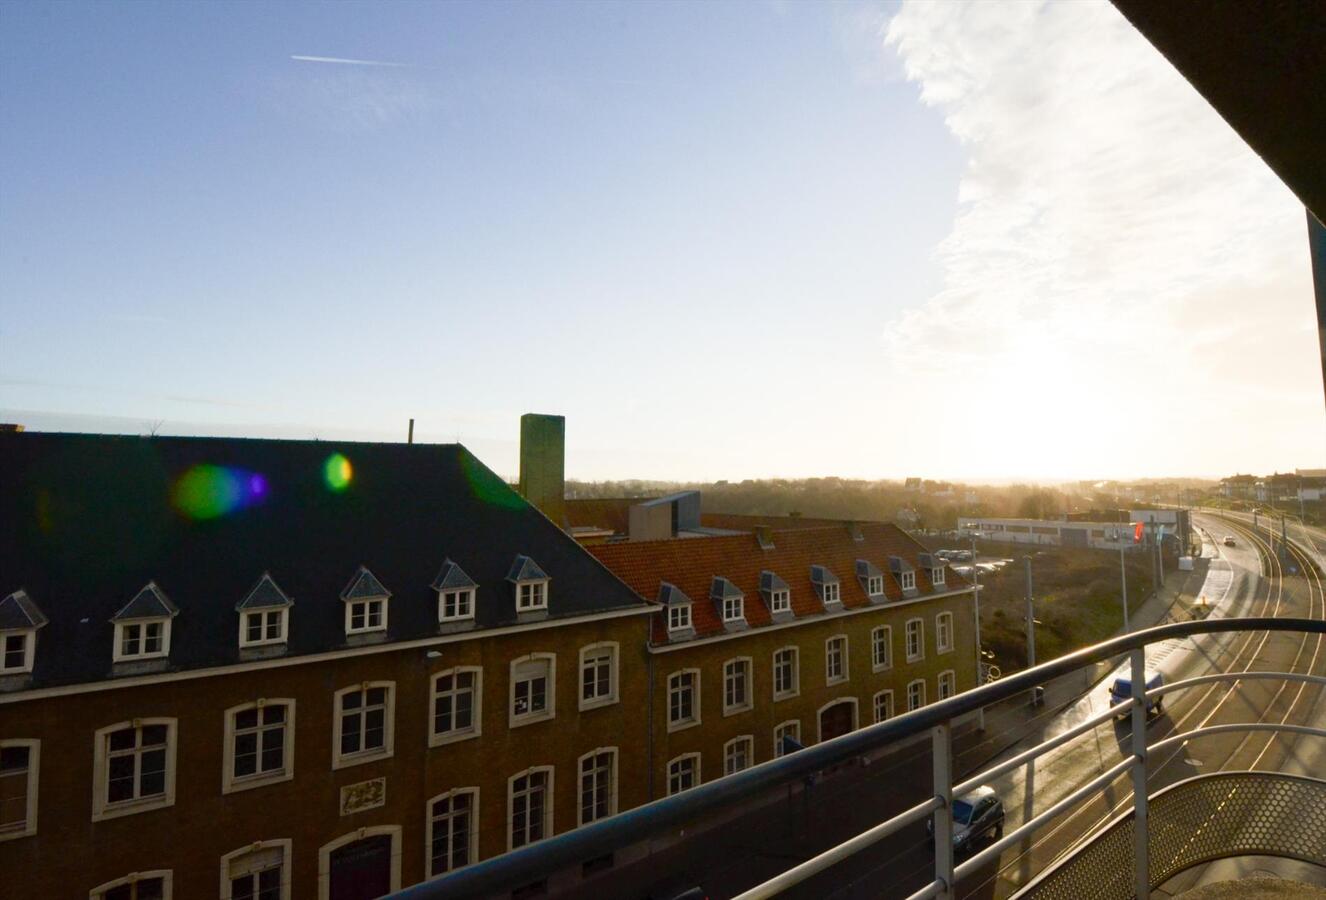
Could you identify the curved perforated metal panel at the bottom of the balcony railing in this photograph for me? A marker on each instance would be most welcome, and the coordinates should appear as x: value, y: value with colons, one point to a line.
x: 1197, y: 821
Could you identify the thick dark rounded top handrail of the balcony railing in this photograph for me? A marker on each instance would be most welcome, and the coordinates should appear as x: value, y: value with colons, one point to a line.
x: 538, y: 861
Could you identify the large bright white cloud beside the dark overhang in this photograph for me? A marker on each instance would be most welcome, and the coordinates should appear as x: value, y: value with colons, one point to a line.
x: 1112, y: 226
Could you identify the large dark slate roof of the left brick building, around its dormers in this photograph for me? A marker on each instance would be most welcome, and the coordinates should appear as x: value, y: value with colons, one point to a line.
x: 87, y: 520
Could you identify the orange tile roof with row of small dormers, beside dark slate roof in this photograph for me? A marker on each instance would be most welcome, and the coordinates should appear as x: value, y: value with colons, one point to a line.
x: 693, y: 564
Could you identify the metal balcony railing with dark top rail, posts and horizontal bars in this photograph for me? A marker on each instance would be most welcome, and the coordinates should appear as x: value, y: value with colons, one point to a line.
x: 530, y: 865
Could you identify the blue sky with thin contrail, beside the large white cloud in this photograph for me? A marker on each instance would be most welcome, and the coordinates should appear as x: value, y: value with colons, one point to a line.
x: 725, y: 241
